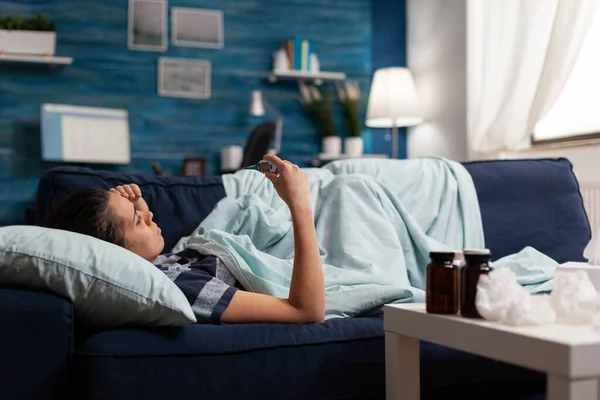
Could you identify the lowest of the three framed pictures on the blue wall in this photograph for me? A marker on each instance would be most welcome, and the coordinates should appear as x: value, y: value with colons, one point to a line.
x: 184, y: 77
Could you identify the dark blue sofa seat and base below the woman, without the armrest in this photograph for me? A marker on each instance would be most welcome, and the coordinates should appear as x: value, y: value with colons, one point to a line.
x: 339, y: 359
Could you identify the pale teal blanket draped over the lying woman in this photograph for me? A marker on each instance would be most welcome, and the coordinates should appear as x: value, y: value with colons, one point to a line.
x: 376, y: 220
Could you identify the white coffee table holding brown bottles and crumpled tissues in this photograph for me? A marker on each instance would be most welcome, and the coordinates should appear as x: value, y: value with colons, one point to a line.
x: 570, y: 355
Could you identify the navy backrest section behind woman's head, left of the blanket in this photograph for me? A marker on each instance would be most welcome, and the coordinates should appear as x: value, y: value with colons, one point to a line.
x: 179, y: 204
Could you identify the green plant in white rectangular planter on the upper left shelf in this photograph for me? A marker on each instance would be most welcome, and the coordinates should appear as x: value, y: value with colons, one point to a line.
x: 21, y: 35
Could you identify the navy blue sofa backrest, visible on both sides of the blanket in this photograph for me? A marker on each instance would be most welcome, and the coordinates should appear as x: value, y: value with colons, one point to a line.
x: 523, y: 203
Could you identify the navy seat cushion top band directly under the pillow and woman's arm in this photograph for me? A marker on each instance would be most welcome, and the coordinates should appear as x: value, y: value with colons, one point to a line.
x: 205, y: 339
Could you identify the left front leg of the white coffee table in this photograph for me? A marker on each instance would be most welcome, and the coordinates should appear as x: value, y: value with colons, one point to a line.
x: 402, y: 367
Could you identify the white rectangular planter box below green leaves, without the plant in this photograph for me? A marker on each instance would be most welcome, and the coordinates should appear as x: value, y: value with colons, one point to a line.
x: 27, y: 42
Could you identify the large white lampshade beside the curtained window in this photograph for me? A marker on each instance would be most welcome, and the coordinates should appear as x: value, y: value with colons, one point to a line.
x: 393, y: 99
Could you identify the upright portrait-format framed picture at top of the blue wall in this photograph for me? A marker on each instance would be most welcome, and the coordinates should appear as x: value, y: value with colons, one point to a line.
x: 147, y: 25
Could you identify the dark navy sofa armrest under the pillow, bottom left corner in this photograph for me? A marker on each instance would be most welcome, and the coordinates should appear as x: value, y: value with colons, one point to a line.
x: 36, y: 343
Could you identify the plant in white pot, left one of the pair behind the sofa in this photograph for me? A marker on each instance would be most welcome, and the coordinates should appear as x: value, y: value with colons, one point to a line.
x: 318, y: 107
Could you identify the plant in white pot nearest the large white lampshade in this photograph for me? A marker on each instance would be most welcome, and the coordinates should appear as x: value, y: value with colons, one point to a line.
x: 349, y: 97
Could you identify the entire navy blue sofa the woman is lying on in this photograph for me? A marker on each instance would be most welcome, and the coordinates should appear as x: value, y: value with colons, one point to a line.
x: 46, y: 354
